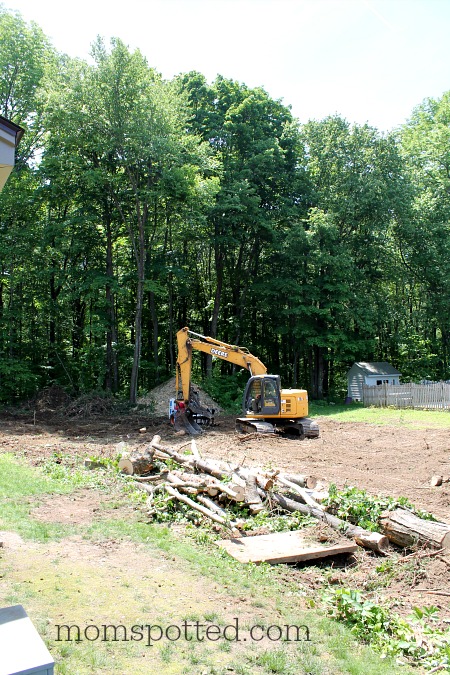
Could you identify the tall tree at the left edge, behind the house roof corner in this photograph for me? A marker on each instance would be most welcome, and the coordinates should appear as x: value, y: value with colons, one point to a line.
x: 26, y: 59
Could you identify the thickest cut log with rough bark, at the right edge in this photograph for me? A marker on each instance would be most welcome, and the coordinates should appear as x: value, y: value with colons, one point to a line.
x: 405, y: 529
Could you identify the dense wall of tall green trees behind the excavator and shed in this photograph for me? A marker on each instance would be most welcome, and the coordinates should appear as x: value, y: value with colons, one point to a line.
x: 140, y: 205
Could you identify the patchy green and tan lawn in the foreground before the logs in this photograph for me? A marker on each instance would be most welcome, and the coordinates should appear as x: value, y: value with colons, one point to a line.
x: 56, y: 588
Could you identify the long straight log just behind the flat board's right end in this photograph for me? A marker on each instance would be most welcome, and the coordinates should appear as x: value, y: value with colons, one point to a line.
x: 373, y: 540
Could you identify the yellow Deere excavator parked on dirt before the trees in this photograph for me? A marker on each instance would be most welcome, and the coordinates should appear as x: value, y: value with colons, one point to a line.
x: 266, y: 407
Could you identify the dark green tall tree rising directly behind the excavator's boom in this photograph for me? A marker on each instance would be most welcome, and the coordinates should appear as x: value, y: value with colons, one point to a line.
x: 256, y: 141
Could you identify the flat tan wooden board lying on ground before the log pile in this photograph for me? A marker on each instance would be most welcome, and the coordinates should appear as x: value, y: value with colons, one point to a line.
x: 280, y: 547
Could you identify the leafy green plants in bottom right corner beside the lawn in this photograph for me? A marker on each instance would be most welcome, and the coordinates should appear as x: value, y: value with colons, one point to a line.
x: 417, y: 641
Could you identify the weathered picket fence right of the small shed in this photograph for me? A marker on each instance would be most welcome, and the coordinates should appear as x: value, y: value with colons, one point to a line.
x: 434, y: 396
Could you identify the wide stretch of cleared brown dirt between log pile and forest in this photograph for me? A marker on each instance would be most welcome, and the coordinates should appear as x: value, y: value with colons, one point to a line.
x: 392, y: 461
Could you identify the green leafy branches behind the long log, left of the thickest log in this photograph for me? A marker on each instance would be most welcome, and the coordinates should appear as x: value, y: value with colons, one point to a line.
x: 360, y: 508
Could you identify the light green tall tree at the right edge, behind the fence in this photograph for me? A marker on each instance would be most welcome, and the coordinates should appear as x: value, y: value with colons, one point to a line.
x: 424, y: 238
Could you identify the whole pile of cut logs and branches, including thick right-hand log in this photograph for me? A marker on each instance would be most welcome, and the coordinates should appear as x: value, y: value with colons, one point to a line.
x: 215, y: 484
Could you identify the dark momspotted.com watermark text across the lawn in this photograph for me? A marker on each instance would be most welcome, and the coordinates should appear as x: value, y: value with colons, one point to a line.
x: 191, y: 631
